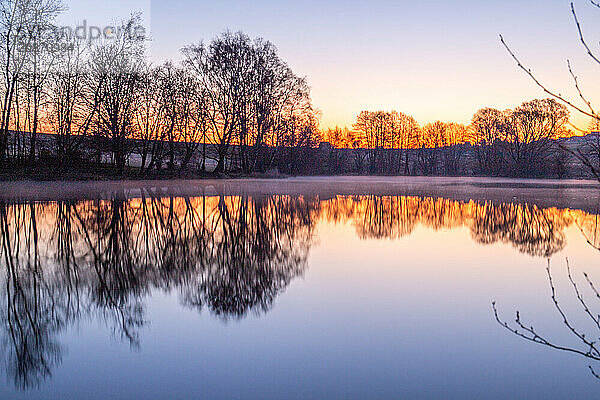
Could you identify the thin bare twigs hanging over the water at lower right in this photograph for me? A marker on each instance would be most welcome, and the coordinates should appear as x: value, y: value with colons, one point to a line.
x: 587, y: 344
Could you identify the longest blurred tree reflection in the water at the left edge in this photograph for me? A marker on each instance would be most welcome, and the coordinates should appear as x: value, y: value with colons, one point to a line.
x: 32, y: 307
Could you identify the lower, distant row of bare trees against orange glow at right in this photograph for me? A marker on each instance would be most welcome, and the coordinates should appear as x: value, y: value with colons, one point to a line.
x: 500, y: 142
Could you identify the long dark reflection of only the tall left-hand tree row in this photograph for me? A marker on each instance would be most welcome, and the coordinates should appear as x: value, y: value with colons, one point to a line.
x: 62, y: 262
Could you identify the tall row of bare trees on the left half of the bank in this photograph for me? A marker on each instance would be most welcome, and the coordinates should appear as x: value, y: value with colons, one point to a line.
x: 233, y: 100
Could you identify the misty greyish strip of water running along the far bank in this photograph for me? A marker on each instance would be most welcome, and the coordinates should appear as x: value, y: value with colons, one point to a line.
x: 576, y: 194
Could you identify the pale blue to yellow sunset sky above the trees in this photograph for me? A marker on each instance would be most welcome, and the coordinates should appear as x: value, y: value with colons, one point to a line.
x: 431, y: 59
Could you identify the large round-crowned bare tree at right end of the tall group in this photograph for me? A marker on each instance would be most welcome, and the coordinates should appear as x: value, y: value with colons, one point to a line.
x: 248, y: 96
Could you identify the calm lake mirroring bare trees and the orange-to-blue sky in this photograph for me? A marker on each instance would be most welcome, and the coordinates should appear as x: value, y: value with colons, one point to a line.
x: 304, y: 288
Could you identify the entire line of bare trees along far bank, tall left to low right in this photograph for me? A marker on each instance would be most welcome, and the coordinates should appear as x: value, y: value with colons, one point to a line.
x: 230, y: 105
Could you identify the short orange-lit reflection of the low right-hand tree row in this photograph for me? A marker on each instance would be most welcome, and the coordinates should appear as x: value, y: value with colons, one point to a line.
x: 530, y: 229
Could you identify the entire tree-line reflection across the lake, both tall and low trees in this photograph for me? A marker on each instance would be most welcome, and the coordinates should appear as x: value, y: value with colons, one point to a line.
x: 65, y: 261
